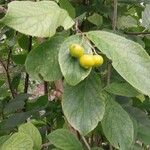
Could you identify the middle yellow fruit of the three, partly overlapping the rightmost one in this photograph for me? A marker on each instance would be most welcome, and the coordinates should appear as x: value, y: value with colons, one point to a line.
x: 86, y: 61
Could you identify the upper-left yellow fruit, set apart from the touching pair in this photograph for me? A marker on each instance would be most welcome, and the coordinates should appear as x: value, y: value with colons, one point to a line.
x: 76, y: 50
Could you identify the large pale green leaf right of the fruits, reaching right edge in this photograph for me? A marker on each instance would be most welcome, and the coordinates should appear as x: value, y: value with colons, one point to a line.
x: 129, y: 58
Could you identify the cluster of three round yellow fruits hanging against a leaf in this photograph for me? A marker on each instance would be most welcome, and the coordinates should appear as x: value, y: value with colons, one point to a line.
x: 86, y: 60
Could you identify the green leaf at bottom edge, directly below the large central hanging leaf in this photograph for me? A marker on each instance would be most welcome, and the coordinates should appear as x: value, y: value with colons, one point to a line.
x: 64, y: 140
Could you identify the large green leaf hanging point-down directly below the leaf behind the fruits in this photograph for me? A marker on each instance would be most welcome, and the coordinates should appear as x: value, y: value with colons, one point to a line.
x: 83, y: 104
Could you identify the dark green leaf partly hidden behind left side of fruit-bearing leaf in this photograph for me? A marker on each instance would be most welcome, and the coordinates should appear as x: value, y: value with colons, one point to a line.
x: 43, y: 60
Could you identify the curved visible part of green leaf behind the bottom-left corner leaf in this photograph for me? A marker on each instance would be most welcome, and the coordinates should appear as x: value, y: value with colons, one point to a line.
x: 32, y: 131
